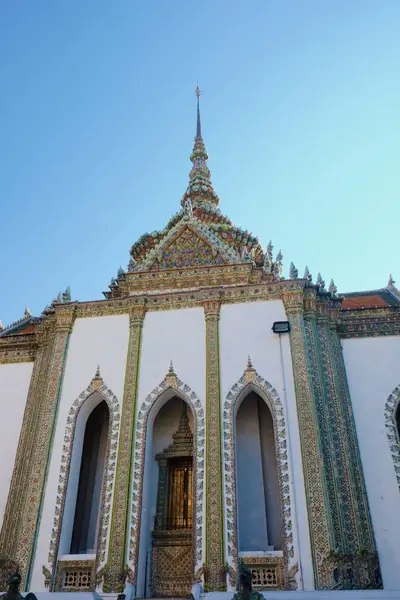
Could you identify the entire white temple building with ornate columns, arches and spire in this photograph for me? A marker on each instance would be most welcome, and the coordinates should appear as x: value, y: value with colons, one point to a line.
x: 208, y: 413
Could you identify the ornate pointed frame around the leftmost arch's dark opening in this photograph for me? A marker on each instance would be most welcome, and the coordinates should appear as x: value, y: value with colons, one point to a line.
x: 98, y: 386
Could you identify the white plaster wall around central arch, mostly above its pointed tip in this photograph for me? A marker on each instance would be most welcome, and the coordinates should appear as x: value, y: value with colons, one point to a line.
x: 177, y: 335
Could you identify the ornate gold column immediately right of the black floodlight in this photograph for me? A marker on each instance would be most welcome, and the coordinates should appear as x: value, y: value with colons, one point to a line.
x: 314, y: 474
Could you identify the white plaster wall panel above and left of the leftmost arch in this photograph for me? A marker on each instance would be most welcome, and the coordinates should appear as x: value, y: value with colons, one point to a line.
x: 95, y: 341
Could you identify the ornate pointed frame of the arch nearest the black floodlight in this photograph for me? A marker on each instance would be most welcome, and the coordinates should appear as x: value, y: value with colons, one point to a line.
x: 251, y: 381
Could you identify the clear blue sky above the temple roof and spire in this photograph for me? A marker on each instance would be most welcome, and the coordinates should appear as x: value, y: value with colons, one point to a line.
x: 300, y: 115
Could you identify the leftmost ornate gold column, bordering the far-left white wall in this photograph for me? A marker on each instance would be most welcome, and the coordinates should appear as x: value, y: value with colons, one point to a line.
x: 23, y: 461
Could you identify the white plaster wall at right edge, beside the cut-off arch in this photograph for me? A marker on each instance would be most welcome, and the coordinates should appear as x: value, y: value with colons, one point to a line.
x: 373, y: 371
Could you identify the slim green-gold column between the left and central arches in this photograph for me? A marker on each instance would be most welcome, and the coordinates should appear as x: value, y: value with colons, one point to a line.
x: 116, y: 571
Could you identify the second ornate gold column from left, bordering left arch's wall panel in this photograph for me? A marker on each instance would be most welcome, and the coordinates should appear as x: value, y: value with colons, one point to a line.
x: 41, y: 451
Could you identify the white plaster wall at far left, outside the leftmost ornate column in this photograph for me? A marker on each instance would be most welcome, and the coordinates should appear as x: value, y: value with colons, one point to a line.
x: 14, y: 387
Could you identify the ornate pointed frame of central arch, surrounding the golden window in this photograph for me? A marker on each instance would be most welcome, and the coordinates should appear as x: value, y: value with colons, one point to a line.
x: 171, y: 382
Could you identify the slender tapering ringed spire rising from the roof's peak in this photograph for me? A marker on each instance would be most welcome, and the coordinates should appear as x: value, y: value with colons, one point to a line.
x: 200, y: 188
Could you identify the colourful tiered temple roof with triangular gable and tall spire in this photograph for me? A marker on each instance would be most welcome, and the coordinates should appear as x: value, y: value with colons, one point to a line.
x: 199, y: 235
